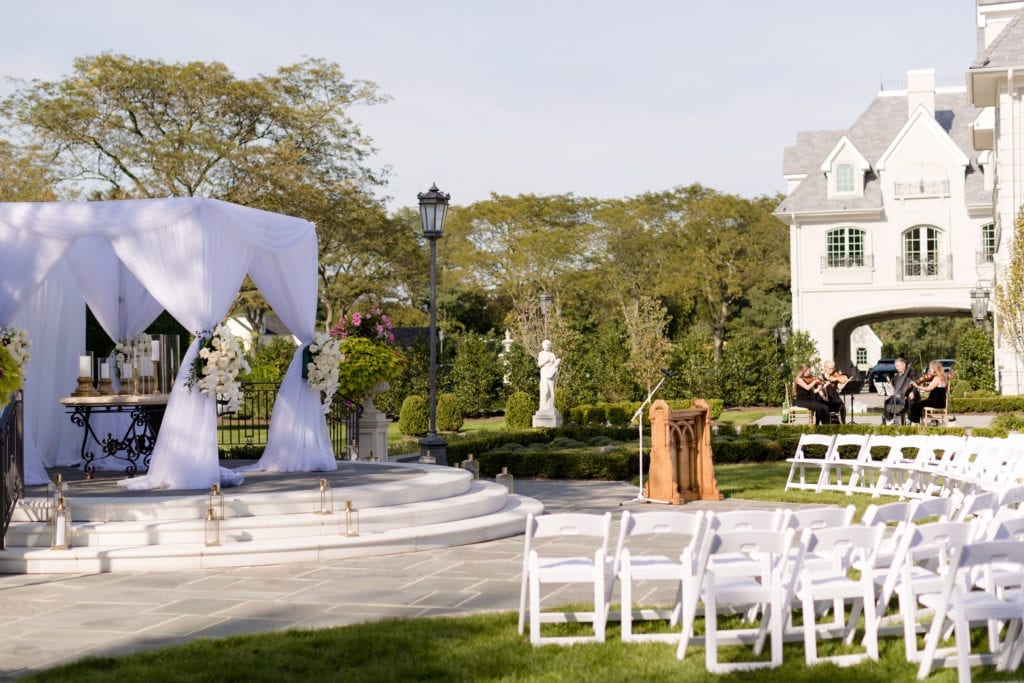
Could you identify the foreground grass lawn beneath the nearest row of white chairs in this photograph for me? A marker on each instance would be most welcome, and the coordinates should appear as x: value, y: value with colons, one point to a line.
x: 483, y: 648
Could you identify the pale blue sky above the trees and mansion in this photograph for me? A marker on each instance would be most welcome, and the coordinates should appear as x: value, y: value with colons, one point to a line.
x: 594, y: 98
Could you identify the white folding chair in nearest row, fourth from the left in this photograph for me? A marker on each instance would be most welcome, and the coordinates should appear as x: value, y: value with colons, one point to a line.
x: 848, y: 548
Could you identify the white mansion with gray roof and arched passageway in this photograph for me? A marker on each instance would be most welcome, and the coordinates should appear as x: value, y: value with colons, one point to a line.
x: 910, y: 211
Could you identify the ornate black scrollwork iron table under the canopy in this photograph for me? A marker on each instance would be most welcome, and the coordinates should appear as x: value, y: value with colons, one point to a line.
x: 135, y: 448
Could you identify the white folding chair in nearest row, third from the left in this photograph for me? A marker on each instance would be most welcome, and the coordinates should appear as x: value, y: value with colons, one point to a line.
x: 771, y: 582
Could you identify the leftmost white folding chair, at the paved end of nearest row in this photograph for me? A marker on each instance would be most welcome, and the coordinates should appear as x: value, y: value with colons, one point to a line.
x: 577, y: 553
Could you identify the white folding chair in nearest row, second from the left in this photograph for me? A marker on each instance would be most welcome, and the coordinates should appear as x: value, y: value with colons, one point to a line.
x: 633, y: 564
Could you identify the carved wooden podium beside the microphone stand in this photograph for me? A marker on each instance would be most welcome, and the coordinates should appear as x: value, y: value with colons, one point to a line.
x: 681, y: 468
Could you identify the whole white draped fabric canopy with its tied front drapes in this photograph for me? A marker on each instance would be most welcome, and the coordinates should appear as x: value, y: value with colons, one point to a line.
x: 133, y: 259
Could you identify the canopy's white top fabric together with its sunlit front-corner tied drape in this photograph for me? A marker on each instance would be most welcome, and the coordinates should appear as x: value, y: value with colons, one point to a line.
x: 191, y: 254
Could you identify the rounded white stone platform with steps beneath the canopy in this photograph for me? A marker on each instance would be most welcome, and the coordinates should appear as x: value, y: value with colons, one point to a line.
x: 273, y: 519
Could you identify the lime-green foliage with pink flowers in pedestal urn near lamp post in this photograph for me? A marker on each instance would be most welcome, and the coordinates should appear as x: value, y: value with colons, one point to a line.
x: 368, y: 355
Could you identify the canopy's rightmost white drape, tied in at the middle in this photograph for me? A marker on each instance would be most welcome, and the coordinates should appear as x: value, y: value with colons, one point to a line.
x: 298, y: 440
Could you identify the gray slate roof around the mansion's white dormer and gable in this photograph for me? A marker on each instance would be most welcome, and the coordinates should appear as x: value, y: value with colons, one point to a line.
x: 872, y: 135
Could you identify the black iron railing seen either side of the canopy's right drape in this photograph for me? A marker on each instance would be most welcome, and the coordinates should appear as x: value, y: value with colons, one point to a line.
x: 244, y: 434
